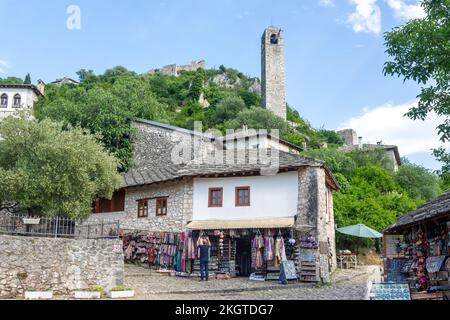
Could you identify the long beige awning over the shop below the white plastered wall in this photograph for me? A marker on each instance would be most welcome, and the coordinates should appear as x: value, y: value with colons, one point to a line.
x: 241, y: 224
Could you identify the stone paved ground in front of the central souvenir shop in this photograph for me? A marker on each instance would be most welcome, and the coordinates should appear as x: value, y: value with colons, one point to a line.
x: 346, y: 285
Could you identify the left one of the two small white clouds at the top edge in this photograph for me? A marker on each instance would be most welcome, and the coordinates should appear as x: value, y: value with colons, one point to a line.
x: 366, y: 17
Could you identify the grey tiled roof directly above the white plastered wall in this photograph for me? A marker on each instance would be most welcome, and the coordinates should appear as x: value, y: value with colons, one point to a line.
x: 139, y: 177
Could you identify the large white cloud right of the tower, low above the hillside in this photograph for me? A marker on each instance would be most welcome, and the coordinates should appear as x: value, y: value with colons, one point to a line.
x: 388, y: 124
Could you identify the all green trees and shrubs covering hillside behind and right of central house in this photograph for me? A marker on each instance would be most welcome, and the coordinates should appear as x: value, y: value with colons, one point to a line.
x: 371, y: 192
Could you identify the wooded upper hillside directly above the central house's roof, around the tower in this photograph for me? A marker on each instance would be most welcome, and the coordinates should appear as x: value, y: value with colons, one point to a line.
x: 105, y: 103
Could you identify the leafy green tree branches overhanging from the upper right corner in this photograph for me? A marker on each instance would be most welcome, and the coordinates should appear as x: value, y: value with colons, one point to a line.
x: 420, y: 51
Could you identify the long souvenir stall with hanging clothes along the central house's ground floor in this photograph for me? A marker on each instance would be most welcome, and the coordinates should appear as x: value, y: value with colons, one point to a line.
x: 260, y: 254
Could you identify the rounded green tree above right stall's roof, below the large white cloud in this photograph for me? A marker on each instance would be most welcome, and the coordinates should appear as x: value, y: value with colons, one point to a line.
x: 418, y: 181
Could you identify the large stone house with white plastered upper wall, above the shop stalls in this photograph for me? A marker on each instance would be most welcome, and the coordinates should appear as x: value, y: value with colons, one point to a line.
x: 235, y: 194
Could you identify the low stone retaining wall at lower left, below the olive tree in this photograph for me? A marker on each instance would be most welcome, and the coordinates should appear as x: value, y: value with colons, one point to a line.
x: 58, y: 264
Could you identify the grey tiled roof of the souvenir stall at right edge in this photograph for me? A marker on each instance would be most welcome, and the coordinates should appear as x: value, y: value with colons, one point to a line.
x: 433, y: 209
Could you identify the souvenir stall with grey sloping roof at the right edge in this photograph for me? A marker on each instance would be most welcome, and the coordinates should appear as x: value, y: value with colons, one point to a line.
x: 417, y: 248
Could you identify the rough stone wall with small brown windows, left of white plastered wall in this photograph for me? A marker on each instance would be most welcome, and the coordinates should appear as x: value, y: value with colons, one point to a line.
x: 179, y: 207
